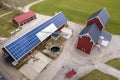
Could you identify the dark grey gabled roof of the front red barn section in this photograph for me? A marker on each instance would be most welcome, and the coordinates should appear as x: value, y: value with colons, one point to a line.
x: 93, y: 31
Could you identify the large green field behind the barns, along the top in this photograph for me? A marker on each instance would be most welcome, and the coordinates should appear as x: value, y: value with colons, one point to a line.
x: 79, y: 10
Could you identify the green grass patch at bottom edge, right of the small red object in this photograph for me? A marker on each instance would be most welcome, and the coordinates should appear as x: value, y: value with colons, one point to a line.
x: 97, y: 75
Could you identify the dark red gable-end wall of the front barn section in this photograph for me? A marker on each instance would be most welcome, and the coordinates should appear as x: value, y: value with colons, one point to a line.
x: 84, y: 44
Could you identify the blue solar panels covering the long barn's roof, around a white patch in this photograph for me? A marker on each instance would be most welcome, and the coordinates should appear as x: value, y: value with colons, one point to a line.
x: 21, y: 46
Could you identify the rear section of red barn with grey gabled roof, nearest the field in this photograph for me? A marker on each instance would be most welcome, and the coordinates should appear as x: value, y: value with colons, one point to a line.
x: 100, y: 17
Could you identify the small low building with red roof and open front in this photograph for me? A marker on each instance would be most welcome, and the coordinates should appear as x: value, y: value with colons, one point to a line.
x: 24, y: 18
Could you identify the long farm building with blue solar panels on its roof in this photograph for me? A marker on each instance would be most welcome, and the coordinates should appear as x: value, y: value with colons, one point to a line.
x: 20, y: 48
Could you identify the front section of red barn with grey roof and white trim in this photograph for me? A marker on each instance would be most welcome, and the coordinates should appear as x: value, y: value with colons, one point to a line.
x: 88, y: 38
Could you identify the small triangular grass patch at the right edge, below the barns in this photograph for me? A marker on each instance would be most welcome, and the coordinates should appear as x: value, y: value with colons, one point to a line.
x: 114, y: 63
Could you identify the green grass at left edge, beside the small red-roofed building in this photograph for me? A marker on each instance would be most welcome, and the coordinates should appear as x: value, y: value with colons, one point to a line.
x: 6, y: 25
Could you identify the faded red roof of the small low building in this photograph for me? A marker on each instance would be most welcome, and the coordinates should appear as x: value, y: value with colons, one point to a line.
x: 24, y: 16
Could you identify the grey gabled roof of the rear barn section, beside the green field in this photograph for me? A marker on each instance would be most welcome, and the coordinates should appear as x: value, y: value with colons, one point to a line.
x: 102, y: 15
